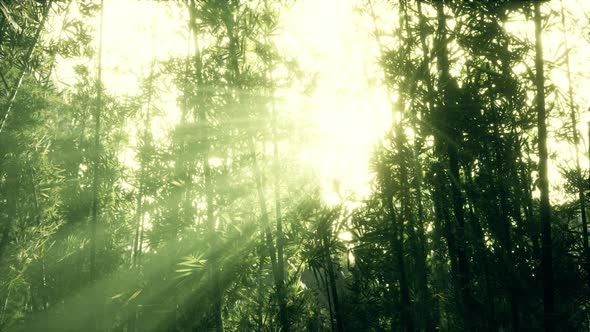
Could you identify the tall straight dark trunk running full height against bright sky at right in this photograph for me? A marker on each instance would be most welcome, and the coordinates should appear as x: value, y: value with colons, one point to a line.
x: 545, y: 207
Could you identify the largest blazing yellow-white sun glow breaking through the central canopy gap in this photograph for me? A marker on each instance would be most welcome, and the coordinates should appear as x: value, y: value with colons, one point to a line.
x: 349, y: 113
